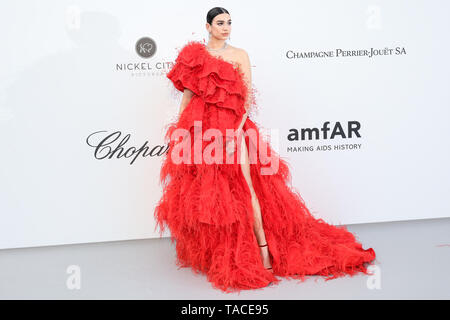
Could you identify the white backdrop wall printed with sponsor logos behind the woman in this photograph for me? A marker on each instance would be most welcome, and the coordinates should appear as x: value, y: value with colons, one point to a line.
x: 61, y: 92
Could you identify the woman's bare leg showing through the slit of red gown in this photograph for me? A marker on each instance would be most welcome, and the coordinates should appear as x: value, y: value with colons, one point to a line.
x: 258, y: 225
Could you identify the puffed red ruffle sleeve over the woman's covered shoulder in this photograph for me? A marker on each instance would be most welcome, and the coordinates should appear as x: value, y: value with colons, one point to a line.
x: 183, y: 73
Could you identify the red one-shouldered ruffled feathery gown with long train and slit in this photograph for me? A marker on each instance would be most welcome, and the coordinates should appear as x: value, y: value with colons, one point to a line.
x: 207, y: 206
